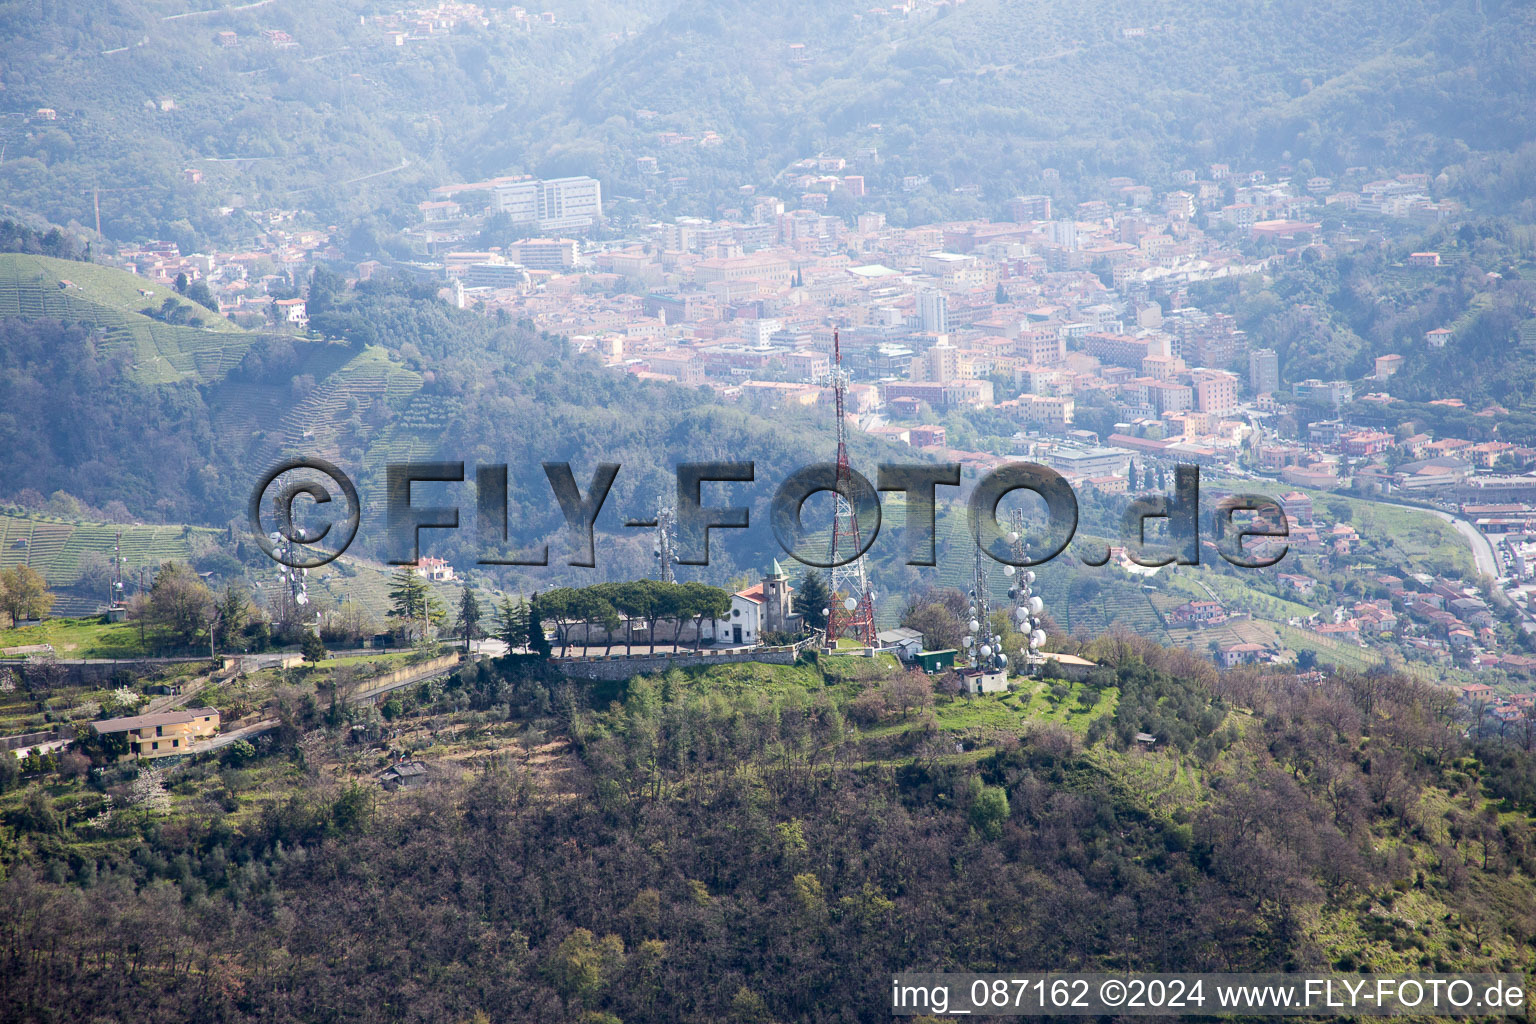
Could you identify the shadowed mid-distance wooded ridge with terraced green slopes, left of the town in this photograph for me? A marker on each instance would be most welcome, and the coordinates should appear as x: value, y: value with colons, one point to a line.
x: 110, y: 408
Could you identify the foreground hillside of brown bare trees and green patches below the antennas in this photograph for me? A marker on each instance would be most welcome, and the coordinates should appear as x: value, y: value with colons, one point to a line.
x: 767, y: 844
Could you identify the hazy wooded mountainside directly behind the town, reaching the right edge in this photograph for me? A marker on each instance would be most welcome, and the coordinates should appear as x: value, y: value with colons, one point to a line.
x: 987, y: 94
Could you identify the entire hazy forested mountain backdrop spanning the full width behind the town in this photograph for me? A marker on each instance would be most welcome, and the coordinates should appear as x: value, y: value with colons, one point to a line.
x: 314, y: 107
